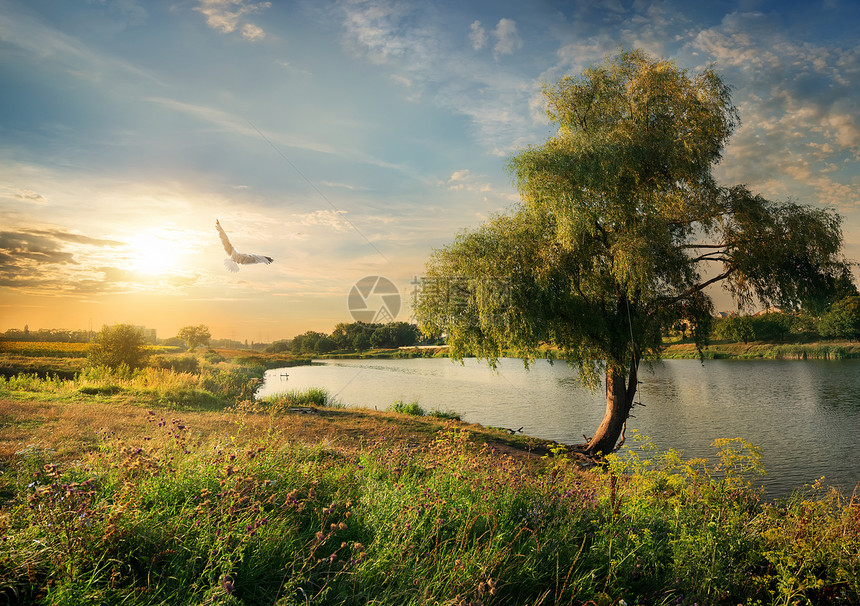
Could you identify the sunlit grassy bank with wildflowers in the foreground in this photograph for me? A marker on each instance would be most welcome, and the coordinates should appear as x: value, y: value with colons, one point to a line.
x: 129, y: 497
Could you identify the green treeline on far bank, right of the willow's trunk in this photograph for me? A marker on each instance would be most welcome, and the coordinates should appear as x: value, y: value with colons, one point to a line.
x: 840, y: 321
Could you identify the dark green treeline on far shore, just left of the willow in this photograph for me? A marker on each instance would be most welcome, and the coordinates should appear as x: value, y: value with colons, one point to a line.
x: 355, y: 336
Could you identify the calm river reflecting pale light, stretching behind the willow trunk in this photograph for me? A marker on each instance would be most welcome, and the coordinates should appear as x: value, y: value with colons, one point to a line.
x: 804, y: 415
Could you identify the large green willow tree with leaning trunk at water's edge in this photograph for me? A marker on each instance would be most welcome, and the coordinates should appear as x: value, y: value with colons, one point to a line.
x: 621, y: 230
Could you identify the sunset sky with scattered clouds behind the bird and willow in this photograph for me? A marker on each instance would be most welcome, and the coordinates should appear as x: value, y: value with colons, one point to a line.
x: 347, y: 139
